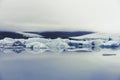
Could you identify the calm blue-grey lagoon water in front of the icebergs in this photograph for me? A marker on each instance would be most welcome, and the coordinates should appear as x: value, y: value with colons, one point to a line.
x: 56, y: 66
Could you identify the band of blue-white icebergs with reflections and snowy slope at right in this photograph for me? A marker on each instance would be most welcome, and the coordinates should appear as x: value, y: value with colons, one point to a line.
x: 87, y: 43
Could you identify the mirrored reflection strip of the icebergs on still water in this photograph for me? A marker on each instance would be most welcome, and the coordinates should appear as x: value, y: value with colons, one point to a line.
x: 39, y: 50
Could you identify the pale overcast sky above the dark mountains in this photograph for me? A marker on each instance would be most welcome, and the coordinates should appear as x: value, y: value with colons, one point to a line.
x: 40, y: 15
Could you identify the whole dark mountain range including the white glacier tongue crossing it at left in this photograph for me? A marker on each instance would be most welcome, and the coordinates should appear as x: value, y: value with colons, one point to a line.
x: 47, y: 34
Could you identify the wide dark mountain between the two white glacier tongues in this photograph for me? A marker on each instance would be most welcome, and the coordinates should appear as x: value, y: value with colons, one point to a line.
x: 61, y: 34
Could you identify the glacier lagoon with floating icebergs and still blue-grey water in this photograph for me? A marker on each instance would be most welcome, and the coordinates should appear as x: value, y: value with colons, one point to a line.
x: 89, y: 57
